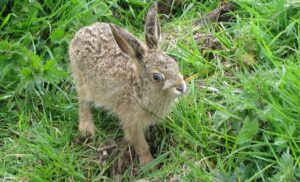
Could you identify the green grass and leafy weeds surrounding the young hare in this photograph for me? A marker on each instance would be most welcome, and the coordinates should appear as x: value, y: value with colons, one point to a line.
x: 239, y: 122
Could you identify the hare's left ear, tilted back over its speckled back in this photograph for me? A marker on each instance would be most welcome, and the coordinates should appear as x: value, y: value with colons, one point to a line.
x: 127, y: 42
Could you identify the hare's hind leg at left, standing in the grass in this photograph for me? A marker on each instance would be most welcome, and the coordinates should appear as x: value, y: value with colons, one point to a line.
x: 86, y: 124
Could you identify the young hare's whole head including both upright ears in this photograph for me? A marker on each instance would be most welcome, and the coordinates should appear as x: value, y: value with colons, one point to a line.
x: 158, y: 71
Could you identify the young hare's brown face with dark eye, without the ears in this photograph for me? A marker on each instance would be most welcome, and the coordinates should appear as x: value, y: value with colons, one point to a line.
x: 163, y: 73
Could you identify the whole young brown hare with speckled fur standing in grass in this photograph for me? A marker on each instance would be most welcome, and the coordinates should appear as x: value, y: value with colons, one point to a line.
x: 116, y: 71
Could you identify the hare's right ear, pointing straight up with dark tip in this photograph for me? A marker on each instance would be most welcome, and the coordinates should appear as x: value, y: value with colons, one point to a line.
x: 152, y: 28
